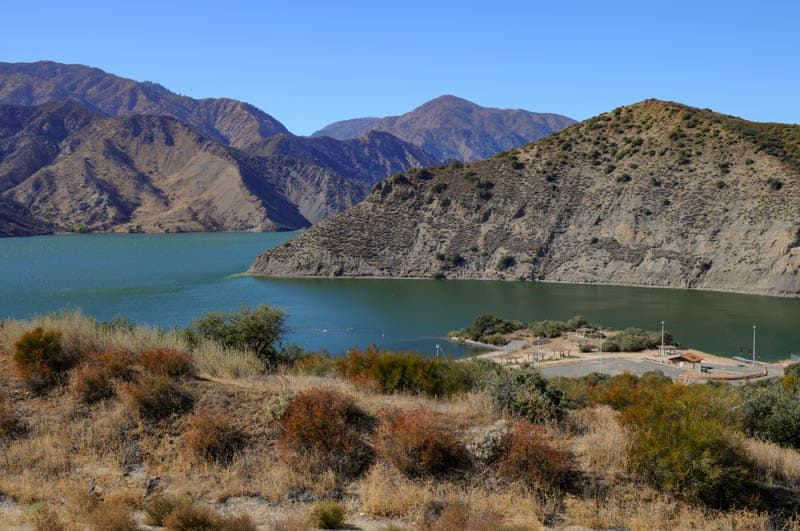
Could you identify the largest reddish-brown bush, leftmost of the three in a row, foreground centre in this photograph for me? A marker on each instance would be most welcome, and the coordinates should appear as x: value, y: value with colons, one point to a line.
x: 325, y: 429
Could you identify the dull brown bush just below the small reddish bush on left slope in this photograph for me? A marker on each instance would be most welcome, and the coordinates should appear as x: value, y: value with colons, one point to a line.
x: 158, y: 397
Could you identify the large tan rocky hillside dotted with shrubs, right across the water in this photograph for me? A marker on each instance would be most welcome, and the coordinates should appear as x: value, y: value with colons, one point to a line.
x: 653, y: 194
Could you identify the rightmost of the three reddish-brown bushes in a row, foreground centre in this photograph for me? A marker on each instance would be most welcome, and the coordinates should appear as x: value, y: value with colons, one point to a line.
x: 528, y: 454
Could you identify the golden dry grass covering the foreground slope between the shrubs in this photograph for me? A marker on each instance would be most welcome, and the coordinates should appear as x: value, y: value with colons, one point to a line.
x: 79, y: 465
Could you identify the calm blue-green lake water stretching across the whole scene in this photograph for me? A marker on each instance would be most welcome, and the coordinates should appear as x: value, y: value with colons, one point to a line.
x: 169, y: 279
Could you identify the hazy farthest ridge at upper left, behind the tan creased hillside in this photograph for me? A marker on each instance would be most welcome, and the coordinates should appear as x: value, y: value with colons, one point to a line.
x: 223, y: 120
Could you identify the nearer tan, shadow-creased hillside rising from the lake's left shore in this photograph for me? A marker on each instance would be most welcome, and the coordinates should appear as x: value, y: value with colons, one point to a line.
x: 64, y: 167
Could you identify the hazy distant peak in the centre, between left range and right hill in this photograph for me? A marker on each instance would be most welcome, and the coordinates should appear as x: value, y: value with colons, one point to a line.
x: 453, y: 128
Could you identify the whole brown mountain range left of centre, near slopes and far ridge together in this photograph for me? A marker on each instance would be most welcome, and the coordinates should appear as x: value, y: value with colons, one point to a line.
x: 237, y: 169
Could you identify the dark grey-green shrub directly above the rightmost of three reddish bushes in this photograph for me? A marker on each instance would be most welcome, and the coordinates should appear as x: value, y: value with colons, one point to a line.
x: 526, y: 394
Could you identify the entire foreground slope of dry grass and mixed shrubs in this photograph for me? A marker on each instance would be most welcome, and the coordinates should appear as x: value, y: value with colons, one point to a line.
x: 113, y: 426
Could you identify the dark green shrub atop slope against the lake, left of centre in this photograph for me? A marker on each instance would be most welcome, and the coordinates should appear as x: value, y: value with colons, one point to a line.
x: 258, y: 330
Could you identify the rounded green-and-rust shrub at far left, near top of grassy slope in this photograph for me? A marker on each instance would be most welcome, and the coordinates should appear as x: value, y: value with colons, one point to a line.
x: 40, y: 359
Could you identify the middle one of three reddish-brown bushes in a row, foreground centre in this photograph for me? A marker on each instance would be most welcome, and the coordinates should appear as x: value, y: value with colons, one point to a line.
x: 420, y: 443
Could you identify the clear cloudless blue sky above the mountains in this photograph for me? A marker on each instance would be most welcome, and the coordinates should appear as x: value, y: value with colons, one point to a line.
x: 311, y: 63
